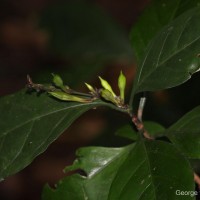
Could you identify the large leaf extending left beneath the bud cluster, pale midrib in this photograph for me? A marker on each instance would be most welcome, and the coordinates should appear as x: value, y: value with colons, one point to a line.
x: 29, y: 123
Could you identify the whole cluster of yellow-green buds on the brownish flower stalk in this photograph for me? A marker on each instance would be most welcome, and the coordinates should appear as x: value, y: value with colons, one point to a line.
x: 64, y: 93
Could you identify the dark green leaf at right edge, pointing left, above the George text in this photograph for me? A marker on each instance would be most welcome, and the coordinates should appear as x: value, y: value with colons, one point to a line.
x: 185, y: 134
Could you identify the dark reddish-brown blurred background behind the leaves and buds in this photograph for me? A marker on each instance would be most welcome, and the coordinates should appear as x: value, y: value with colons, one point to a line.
x: 24, y: 50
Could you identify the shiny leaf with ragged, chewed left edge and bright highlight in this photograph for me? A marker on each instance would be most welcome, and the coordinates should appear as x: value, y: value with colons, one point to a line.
x: 100, y: 164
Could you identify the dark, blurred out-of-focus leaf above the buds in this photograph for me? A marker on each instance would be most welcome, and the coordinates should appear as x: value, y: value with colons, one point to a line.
x: 83, y: 32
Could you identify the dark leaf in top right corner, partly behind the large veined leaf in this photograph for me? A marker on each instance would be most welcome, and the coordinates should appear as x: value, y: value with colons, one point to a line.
x: 158, y: 14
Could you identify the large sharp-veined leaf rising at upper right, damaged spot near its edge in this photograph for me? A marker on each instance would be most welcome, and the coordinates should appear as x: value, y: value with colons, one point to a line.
x: 172, y: 57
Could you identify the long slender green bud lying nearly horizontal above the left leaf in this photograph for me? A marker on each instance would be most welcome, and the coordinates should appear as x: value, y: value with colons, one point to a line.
x: 68, y: 97
